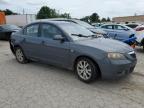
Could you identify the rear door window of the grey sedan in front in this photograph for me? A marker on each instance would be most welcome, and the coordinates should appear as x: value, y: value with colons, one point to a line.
x: 32, y: 30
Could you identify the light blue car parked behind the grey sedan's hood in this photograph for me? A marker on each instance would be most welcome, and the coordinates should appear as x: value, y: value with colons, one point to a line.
x: 120, y: 32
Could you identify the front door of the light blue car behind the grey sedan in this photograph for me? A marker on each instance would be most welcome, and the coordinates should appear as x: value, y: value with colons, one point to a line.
x: 122, y: 34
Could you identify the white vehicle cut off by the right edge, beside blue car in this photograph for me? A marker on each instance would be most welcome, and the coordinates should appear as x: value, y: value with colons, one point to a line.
x: 140, y: 35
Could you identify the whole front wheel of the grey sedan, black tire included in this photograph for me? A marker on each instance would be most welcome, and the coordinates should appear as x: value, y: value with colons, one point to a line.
x: 86, y: 70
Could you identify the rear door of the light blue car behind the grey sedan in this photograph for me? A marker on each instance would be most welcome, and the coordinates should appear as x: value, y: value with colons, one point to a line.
x: 110, y: 30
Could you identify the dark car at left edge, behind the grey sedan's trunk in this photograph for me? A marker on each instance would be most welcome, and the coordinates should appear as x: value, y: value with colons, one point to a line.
x: 7, y: 30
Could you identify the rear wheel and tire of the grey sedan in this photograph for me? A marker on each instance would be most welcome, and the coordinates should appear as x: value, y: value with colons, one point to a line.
x: 20, y: 57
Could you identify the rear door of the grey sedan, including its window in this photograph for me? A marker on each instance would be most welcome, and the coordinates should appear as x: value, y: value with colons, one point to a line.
x: 31, y: 42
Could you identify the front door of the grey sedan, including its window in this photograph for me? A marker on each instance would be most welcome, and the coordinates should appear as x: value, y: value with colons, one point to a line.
x: 54, y: 51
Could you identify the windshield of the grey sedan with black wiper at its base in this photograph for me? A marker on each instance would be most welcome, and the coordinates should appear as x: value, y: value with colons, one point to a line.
x: 76, y: 31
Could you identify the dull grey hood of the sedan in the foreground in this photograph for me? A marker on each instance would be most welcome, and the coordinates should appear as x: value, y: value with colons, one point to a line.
x: 107, y: 45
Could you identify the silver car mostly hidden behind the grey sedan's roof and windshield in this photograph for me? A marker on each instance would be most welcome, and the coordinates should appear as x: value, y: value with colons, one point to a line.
x: 98, y: 32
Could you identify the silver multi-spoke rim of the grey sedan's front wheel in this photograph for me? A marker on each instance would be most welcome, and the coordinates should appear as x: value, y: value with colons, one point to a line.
x: 84, y: 70
